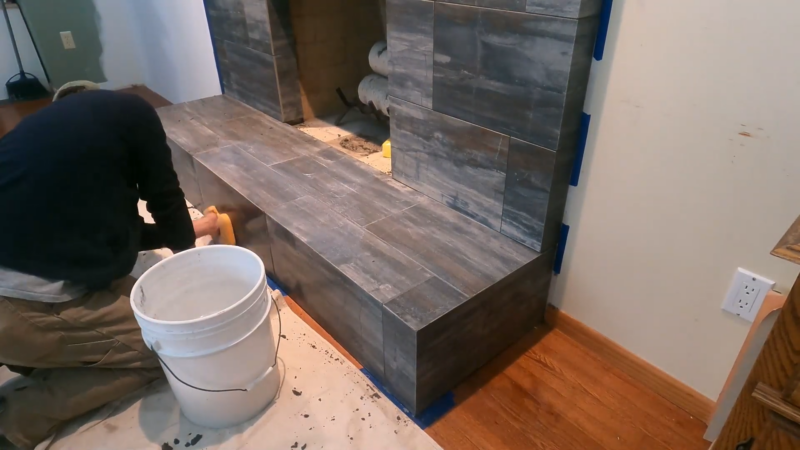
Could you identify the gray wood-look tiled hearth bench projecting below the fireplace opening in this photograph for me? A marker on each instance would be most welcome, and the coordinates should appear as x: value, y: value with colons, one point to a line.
x: 419, y: 294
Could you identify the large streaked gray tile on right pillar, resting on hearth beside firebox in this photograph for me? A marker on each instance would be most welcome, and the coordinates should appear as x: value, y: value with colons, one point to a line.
x: 451, y: 161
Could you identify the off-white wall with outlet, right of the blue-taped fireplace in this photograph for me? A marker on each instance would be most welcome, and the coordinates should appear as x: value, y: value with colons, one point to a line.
x: 672, y: 198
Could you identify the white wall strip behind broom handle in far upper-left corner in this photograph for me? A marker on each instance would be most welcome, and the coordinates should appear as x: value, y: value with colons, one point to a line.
x: 8, y: 63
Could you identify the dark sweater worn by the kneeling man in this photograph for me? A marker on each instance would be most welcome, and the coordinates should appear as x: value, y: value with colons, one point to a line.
x: 71, y: 176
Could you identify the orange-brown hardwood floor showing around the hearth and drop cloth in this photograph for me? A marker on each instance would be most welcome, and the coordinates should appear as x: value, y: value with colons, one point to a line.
x: 545, y: 392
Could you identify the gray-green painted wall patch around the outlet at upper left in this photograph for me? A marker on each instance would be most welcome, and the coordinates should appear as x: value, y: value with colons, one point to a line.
x: 47, y: 19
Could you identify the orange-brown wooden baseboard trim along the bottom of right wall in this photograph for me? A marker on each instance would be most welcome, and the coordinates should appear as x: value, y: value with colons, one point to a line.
x: 679, y: 394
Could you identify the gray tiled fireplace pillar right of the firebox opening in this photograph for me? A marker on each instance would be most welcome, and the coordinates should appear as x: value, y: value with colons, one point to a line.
x: 487, y: 97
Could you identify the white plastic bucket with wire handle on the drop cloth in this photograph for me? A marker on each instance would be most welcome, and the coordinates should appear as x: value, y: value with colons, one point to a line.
x: 205, y: 312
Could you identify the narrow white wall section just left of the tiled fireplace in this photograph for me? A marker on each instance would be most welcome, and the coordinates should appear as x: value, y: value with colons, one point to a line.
x: 175, y: 48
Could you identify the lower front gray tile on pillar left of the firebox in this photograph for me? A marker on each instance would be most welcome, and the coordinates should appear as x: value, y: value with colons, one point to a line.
x: 253, y: 80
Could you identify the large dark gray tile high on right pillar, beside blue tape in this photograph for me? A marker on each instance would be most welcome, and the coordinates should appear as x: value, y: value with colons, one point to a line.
x: 507, y: 71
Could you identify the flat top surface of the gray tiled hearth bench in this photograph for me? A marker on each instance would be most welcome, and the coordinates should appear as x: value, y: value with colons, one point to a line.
x: 383, y: 235
